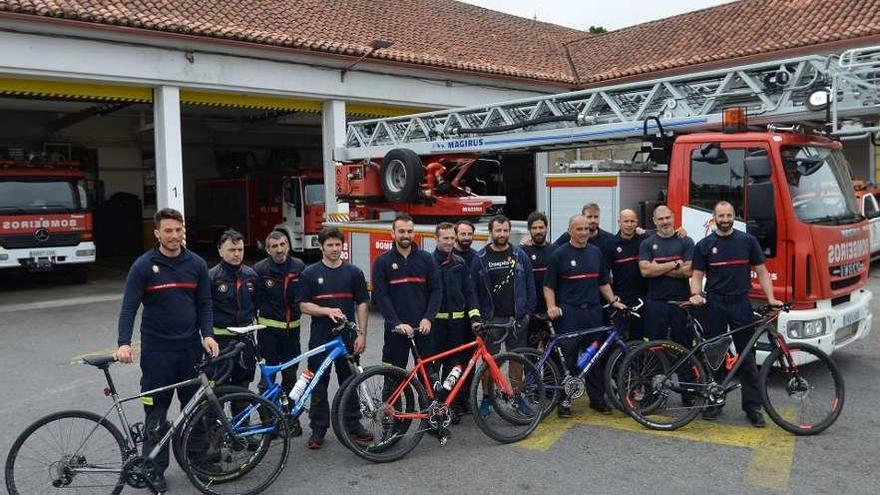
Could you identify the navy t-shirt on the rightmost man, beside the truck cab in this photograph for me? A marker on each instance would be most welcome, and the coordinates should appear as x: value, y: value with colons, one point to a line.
x: 727, y: 261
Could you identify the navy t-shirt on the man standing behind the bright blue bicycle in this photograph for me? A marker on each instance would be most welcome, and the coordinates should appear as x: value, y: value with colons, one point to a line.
x: 343, y: 287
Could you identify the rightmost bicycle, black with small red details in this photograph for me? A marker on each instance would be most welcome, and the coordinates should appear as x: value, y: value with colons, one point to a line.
x: 785, y: 374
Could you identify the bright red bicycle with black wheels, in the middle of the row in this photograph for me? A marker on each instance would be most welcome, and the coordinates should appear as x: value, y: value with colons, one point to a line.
x: 401, y: 406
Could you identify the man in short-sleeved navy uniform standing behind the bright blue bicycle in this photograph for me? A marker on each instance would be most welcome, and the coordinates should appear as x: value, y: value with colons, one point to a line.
x: 332, y: 291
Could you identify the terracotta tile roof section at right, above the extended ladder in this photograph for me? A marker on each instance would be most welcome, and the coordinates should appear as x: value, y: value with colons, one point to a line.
x: 739, y: 29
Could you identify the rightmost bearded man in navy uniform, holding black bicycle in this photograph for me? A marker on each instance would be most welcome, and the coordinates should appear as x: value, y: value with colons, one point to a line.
x: 726, y: 259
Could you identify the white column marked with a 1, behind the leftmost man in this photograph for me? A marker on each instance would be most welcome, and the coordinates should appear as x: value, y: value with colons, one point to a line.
x: 169, y: 150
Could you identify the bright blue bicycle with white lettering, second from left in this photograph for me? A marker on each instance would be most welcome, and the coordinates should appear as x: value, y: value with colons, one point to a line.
x: 273, y: 392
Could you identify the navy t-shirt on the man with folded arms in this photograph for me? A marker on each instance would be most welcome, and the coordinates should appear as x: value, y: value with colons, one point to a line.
x: 663, y: 250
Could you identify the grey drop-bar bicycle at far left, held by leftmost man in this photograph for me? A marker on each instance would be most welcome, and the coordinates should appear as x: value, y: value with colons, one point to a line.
x: 214, y: 446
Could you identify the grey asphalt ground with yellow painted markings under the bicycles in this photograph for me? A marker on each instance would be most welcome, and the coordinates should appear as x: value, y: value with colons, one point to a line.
x: 46, y: 322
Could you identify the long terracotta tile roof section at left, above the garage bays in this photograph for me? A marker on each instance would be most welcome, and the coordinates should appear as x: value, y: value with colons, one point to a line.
x: 438, y: 33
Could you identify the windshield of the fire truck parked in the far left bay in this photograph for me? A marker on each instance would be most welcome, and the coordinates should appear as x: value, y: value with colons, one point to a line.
x: 37, y: 196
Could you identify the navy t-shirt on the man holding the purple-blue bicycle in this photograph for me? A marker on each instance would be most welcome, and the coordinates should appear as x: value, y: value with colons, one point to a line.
x: 576, y: 274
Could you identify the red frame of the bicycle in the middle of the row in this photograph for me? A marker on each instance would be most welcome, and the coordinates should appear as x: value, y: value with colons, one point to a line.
x: 419, y: 372
